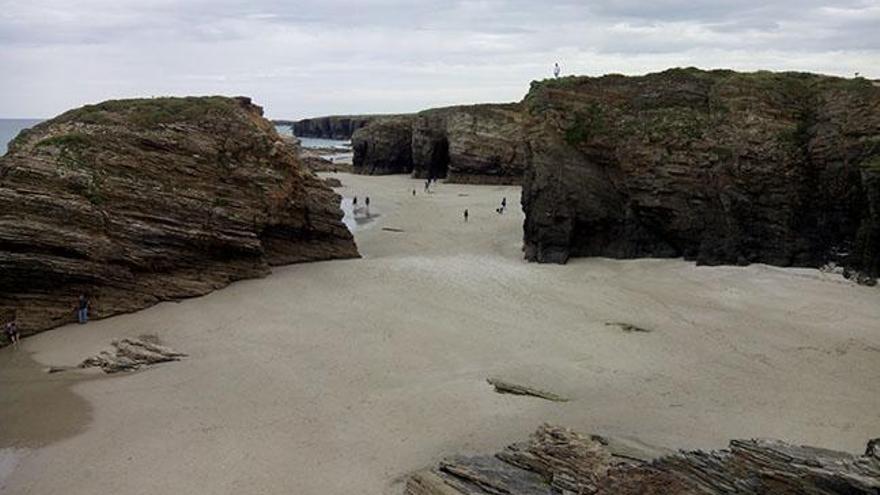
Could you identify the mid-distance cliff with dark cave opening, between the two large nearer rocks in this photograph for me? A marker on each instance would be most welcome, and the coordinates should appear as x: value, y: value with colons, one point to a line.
x: 475, y: 143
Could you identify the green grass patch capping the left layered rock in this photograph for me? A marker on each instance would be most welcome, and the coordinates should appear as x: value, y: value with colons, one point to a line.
x: 150, y: 112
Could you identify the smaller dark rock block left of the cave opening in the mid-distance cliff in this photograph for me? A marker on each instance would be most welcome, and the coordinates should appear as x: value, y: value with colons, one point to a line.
x: 383, y: 147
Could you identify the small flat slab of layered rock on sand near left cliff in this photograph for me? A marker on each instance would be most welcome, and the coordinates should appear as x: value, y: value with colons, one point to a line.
x: 131, y: 355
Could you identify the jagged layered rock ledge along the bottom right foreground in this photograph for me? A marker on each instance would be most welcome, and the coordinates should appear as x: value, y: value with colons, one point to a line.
x: 560, y: 461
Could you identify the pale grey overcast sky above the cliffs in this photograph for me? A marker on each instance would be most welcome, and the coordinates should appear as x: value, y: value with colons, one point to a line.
x: 315, y: 57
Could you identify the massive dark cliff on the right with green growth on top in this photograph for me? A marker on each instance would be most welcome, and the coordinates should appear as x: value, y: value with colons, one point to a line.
x: 717, y: 166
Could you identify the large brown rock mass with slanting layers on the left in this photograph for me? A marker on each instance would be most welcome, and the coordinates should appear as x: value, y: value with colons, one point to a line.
x: 139, y: 201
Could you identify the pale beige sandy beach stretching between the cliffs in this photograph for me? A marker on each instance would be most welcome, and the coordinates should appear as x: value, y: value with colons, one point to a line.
x: 343, y: 376
